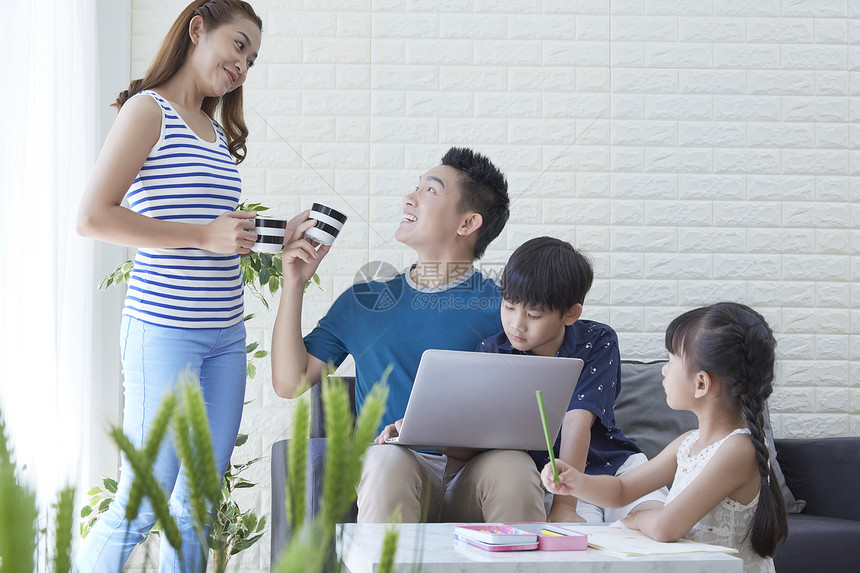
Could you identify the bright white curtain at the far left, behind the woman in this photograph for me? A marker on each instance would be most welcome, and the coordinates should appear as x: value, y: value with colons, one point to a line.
x: 49, y: 136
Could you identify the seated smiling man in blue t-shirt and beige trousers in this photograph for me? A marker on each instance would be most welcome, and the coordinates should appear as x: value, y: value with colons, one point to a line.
x: 441, y: 301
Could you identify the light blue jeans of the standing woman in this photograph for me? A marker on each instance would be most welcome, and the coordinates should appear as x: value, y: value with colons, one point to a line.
x: 153, y: 357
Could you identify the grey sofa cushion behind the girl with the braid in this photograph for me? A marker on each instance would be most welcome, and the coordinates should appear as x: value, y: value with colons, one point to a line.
x: 643, y: 415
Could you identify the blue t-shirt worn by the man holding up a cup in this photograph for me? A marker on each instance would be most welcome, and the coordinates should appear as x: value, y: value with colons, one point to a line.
x: 392, y: 322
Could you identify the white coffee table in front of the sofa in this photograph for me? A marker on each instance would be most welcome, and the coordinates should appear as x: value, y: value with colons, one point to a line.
x: 433, y: 545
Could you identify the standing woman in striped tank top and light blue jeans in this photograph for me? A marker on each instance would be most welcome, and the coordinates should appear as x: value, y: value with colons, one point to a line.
x: 177, y: 168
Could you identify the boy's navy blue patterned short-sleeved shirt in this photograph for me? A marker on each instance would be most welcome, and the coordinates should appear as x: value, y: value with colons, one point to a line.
x: 598, y: 386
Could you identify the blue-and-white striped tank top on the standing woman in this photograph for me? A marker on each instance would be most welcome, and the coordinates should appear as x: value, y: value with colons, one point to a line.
x: 189, y: 180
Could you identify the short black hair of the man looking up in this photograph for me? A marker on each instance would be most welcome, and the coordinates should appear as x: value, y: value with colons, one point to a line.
x: 484, y: 190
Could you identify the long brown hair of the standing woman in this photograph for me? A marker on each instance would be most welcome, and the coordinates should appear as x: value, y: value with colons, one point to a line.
x: 172, y: 55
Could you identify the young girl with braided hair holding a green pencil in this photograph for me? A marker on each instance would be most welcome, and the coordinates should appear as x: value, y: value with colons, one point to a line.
x: 724, y: 491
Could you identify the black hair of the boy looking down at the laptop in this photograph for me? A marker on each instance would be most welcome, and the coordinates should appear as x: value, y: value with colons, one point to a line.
x: 547, y: 273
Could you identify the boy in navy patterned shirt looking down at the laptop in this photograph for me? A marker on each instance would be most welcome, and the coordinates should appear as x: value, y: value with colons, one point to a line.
x: 543, y: 288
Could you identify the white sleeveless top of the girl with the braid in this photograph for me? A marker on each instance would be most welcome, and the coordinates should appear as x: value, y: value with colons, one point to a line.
x: 728, y: 523
